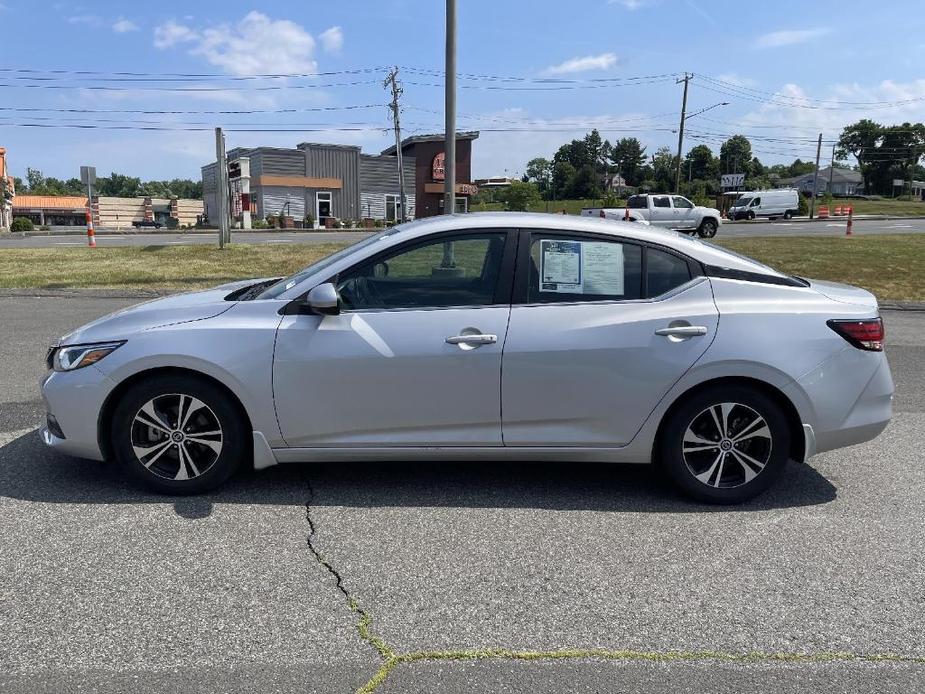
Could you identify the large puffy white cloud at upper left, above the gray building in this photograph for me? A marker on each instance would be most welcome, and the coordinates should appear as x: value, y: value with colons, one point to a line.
x: 254, y: 45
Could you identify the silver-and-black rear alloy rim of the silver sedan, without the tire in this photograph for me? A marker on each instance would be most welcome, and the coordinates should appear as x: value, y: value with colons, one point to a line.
x: 727, y: 445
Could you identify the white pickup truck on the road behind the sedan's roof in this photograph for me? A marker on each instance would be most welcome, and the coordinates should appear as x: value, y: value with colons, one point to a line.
x: 666, y: 211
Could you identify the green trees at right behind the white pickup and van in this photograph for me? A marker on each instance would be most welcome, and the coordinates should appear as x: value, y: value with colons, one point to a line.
x: 580, y: 169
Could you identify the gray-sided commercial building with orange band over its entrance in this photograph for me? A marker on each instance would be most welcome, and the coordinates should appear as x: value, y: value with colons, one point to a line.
x: 321, y: 180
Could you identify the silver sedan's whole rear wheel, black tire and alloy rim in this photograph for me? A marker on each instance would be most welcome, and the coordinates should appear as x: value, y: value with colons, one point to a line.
x: 743, y: 479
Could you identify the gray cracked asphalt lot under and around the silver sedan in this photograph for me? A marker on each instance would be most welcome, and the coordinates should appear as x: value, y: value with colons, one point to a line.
x: 471, y: 577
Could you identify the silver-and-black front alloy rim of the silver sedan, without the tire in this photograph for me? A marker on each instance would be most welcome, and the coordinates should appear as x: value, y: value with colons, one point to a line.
x: 176, y: 436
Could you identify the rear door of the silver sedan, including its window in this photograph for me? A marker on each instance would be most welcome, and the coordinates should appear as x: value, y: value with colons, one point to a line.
x: 601, y: 328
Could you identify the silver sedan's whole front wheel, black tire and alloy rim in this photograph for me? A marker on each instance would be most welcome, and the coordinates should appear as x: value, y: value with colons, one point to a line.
x: 207, y: 459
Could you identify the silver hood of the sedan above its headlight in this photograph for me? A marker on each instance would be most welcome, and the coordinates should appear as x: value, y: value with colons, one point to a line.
x: 179, y: 308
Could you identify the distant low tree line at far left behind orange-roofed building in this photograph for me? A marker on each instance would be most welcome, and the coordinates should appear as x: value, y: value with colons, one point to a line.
x: 115, y: 185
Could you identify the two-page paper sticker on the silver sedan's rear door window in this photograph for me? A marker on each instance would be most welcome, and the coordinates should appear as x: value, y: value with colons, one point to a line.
x: 582, y: 267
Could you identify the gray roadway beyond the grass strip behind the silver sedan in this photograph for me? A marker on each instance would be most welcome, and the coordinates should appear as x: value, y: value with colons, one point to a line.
x: 831, y: 227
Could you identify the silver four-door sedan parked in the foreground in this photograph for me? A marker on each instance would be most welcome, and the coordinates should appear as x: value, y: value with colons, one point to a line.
x: 495, y: 336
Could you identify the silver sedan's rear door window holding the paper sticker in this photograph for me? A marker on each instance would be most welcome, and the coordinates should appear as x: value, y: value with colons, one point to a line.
x: 568, y: 269
